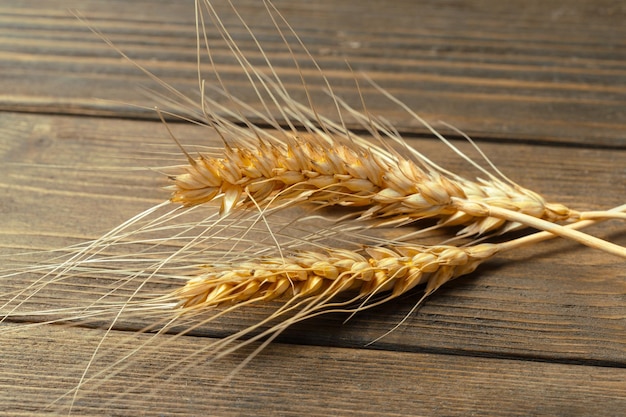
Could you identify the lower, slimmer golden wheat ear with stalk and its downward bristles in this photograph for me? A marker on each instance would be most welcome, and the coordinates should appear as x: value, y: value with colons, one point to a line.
x: 309, y: 283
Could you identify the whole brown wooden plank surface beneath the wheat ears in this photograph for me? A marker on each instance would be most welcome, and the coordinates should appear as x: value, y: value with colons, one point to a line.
x: 541, y: 86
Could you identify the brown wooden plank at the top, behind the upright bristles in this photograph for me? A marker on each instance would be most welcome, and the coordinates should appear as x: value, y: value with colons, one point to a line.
x: 553, y: 71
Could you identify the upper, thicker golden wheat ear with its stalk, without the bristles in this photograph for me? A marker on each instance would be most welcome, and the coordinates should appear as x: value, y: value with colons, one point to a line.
x: 315, y: 172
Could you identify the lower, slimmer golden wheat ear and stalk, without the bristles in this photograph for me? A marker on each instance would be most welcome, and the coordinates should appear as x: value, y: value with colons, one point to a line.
x: 373, y: 270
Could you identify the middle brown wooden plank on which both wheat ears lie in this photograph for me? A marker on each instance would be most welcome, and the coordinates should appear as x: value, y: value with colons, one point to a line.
x: 558, y: 301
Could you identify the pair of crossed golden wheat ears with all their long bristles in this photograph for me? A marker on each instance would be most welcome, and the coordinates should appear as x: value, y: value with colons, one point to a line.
x: 241, y: 253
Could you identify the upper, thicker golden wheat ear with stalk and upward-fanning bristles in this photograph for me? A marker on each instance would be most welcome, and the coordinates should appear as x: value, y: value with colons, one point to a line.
x: 328, y: 164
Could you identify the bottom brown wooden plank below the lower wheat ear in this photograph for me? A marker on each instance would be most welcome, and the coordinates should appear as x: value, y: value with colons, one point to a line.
x: 293, y: 380
